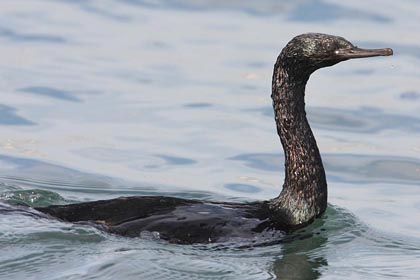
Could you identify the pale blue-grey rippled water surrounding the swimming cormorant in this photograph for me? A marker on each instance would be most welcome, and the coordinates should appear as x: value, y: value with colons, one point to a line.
x: 101, y: 99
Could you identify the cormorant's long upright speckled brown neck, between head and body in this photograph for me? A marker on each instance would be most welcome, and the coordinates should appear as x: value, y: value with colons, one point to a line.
x: 304, y: 194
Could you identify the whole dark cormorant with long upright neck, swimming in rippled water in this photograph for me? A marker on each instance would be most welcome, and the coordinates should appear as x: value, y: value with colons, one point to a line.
x: 304, y: 193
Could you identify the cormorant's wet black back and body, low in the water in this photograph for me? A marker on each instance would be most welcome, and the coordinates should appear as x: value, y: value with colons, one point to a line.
x: 173, y: 219
